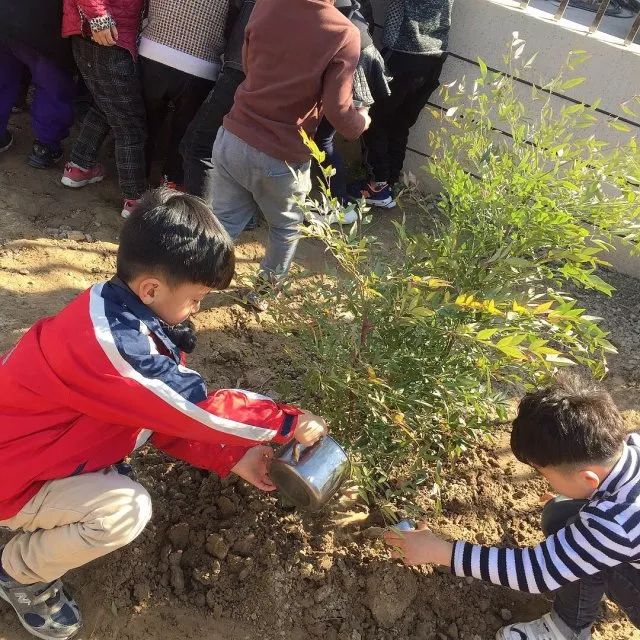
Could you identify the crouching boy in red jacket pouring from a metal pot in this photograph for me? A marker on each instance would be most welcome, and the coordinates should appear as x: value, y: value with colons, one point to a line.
x: 84, y: 388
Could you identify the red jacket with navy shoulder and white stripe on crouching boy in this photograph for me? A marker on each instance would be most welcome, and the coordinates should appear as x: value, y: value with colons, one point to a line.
x: 83, y: 389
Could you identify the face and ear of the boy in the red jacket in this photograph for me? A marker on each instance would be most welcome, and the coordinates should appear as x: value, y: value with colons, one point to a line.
x: 171, y: 304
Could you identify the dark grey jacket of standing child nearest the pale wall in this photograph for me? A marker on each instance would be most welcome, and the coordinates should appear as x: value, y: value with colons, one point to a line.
x: 418, y: 26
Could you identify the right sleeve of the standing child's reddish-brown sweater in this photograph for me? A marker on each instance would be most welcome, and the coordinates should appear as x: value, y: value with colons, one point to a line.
x: 337, y: 90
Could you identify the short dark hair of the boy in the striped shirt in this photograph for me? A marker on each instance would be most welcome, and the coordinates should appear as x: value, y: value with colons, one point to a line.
x: 567, y: 423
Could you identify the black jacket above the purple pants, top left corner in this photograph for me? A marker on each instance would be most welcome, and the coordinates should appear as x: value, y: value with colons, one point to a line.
x: 36, y: 23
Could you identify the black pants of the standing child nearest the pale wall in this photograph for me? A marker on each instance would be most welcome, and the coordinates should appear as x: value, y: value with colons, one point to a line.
x: 384, y: 144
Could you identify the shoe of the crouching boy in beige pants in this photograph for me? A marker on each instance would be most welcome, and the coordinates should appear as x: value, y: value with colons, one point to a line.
x: 45, y: 609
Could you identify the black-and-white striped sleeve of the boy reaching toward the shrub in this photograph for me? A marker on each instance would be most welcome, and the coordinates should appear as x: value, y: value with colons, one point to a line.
x: 588, y: 546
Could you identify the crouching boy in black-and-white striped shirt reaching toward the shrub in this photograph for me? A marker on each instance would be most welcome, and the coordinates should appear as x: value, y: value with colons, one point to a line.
x: 575, y: 437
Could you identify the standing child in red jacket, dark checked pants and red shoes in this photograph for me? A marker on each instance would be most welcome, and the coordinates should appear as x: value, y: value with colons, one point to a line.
x: 104, y: 37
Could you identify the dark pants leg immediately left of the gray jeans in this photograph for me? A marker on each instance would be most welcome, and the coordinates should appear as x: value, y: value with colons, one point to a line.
x: 197, y: 145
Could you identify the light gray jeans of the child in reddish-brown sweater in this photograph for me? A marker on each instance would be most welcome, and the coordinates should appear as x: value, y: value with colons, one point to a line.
x: 245, y: 180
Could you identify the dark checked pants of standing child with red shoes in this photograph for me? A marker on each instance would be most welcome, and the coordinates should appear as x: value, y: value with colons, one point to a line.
x: 112, y: 77
